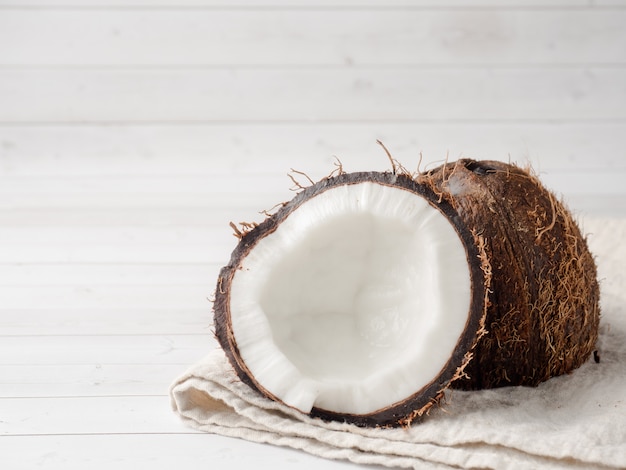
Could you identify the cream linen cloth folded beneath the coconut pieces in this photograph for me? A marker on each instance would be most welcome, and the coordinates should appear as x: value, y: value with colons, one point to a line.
x: 572, y: 421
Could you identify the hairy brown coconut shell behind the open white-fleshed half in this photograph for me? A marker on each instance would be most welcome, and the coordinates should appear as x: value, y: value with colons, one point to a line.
x: 544, y: 312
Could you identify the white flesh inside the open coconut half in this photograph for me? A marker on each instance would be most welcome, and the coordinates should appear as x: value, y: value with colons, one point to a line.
x: 355, y: 302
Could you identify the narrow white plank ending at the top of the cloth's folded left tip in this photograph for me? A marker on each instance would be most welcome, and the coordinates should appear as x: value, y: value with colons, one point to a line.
x: 86, y: 380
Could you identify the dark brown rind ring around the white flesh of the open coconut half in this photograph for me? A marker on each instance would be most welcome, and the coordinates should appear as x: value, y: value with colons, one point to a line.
x: 414, y: 407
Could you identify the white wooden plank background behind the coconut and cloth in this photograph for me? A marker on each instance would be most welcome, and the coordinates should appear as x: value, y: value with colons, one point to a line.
x: 132, y: 132
